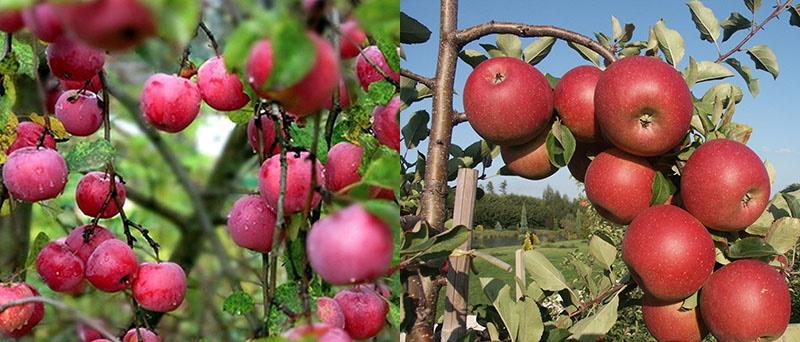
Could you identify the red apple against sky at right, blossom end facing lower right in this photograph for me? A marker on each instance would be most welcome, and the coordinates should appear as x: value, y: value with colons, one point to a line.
x: 725, y: 185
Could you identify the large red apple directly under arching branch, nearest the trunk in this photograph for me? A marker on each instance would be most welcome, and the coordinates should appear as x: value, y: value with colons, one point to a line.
x: 507, y: 101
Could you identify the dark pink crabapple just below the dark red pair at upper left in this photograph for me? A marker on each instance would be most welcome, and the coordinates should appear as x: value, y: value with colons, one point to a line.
x: 81, y: 112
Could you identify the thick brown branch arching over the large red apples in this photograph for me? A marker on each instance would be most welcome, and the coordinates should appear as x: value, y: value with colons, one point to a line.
x: 476, y: 32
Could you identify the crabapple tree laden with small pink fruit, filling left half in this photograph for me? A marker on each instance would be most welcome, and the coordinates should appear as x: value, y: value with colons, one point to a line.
x: 199, y: 170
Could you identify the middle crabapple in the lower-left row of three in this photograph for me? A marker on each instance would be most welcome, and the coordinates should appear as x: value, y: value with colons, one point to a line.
x: 112, y: 266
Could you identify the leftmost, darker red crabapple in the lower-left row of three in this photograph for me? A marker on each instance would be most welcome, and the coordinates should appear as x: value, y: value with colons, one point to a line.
x: 61, y: 269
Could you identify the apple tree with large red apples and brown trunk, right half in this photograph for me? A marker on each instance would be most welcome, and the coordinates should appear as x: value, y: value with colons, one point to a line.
x: 687, y: 225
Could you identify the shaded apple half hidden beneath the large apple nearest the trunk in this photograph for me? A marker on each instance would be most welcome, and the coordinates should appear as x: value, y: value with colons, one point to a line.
x: 529, y: 160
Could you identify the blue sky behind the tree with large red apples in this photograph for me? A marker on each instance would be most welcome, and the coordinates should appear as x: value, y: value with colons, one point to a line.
x: 773, y: 114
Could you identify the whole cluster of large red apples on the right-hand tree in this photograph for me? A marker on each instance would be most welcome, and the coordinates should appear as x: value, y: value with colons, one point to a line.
x: 625, y: 118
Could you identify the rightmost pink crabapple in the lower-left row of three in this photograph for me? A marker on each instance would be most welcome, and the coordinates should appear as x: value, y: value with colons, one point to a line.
x: 159, y: 287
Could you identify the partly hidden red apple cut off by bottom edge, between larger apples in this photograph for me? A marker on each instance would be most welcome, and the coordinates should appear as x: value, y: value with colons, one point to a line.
x: 671, y: 322
